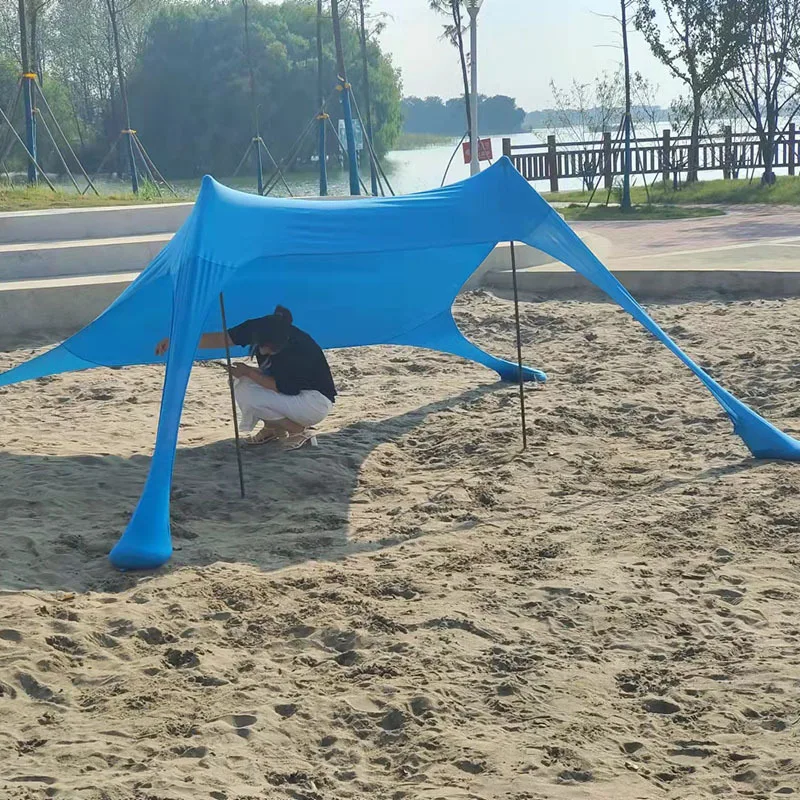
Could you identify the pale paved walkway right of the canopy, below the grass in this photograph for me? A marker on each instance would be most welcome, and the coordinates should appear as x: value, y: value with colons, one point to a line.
x: 747, y: 238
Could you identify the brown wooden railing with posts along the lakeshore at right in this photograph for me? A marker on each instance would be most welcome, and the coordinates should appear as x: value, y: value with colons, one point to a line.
x: 730, y: 153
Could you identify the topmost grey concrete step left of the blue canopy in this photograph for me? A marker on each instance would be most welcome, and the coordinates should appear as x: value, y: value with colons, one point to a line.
x: 61, y: 224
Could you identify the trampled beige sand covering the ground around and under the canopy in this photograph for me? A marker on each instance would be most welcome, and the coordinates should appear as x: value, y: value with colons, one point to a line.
x: 415, y: 610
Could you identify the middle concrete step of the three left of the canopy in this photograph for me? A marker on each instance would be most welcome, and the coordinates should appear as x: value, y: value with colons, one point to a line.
x: 79, y: 257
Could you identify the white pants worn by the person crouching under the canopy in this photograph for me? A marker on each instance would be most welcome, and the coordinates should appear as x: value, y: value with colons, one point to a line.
x: 257, y: 403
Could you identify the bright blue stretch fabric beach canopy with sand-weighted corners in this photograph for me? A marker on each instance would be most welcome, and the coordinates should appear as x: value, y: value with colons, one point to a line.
x: 355, y: 272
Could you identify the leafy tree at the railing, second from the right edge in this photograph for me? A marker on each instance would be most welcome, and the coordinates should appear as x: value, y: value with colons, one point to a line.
x: 699, y: 42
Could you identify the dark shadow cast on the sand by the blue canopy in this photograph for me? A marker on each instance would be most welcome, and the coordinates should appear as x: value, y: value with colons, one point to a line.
x: 60, y: 516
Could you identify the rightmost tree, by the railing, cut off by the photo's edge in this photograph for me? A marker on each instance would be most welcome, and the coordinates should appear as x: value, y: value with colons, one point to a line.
x: 764, y: 82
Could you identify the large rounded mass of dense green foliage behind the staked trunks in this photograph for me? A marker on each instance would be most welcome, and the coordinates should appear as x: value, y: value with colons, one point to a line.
x: 190, y: 92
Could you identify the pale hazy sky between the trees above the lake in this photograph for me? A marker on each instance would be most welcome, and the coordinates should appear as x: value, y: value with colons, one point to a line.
x: 522, y: 44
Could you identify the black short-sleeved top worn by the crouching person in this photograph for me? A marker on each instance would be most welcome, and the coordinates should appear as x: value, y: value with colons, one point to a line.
x: 300, y: 366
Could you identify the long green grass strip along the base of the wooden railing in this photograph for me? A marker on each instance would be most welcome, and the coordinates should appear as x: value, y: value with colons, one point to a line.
x: 786, y: 191
